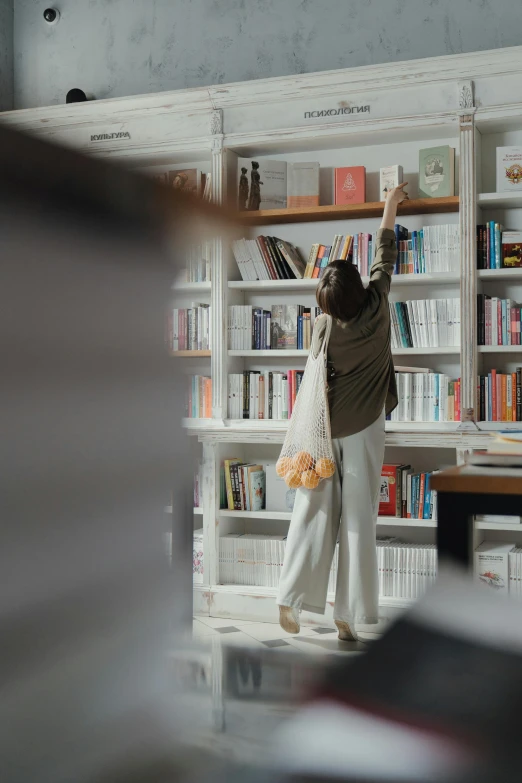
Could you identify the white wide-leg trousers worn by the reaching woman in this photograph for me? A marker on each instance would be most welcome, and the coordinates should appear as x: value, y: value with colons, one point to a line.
x: 343, y: 508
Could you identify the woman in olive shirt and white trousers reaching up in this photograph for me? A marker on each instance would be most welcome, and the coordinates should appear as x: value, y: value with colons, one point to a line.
x: 361, y: 392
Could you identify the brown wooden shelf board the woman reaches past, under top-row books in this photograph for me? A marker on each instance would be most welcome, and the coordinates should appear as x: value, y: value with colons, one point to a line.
x: 423, y: 206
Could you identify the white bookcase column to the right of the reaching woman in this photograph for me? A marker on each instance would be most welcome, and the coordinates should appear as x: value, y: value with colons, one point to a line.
x: 468, y: 287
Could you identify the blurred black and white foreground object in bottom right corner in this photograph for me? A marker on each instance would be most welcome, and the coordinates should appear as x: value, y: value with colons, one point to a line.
x: 438, y: 699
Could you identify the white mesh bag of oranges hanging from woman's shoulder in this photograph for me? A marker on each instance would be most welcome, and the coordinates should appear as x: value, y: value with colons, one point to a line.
x: 307, y: 457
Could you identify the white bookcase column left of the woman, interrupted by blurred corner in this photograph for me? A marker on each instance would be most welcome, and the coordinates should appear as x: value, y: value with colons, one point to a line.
x: 219, y: 277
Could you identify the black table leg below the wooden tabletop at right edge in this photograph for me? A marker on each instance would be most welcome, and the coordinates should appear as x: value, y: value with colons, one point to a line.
x: 455, y: 528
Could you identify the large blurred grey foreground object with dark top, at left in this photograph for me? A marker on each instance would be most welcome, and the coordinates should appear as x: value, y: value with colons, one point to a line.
x: 91, y: 449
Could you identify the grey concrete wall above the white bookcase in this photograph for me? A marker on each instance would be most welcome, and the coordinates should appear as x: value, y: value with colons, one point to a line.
x: 124, y: 47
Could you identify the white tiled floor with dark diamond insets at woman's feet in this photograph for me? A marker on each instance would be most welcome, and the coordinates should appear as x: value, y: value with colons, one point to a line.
x: 243, y: 633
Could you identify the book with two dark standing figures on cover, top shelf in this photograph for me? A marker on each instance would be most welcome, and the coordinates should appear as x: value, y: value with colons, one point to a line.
x: 262, y: 184
